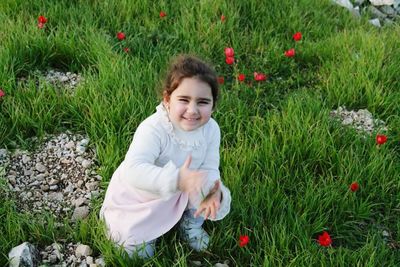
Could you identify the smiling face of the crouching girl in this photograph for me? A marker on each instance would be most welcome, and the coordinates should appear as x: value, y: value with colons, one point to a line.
x: 190, y: 104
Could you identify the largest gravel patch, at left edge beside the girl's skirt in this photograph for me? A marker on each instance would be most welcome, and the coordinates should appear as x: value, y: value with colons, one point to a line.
x: 57, y: 177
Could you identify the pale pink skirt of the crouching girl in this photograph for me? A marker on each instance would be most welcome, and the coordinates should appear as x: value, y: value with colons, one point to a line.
x: 135, y: 216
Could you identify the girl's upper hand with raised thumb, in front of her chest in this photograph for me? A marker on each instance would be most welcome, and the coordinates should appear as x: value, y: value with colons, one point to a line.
x: 190, y: 180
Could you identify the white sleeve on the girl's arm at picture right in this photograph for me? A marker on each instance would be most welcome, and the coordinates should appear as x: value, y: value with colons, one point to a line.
x: 211, y: 165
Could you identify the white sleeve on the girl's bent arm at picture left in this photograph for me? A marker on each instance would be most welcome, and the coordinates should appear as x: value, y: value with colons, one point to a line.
x: 139, y: 167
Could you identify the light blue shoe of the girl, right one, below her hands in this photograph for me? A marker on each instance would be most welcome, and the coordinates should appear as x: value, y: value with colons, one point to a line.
x: 192, y: 232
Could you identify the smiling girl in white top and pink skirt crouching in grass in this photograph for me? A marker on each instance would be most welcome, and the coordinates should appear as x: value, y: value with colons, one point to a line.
x: 170, y: 173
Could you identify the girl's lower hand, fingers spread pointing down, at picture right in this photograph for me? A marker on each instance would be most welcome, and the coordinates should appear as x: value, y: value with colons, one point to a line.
x: 211, y: 204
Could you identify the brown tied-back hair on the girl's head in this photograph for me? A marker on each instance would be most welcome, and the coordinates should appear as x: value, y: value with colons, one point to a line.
x: 189, y: 66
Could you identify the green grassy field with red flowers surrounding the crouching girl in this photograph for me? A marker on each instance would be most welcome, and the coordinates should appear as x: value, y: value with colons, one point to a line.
x: 288, y: 165
